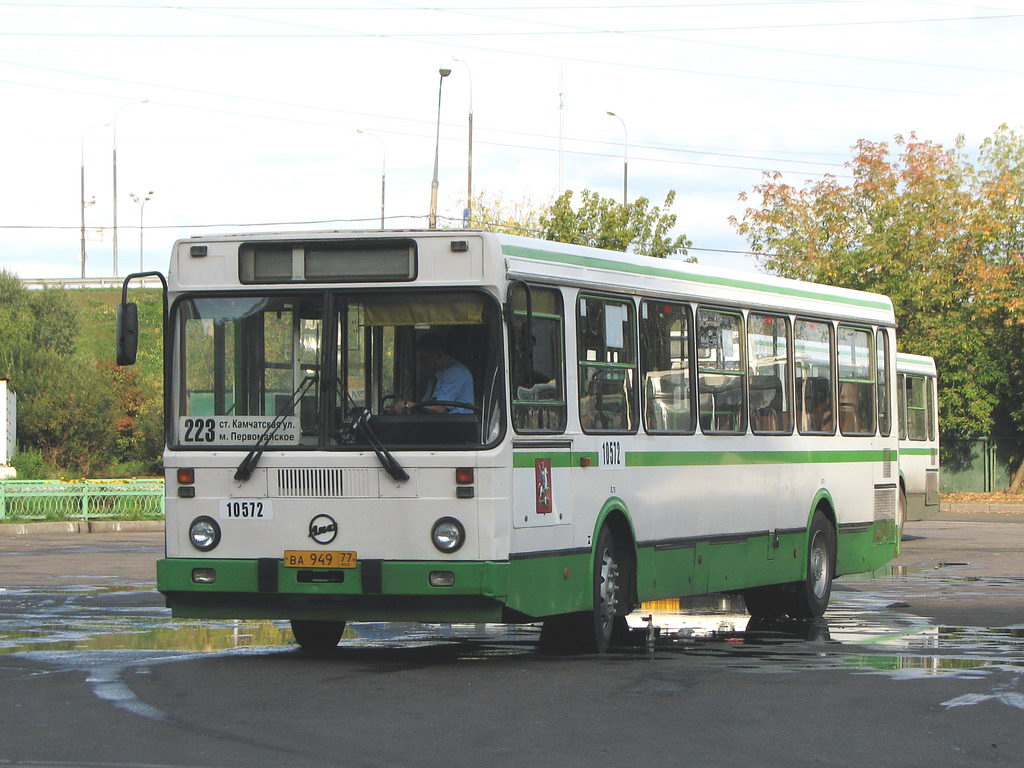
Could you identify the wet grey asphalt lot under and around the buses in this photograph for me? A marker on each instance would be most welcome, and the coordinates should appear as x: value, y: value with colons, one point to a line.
x: 922, y: 667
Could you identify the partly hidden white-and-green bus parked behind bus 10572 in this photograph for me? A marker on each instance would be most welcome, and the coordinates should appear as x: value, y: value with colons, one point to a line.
x: 919, y: 438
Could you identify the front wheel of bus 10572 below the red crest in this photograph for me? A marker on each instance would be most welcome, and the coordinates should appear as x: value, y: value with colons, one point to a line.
x: 593, y: 631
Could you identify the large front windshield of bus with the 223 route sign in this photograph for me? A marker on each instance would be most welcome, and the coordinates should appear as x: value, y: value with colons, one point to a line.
x: 297, y: 369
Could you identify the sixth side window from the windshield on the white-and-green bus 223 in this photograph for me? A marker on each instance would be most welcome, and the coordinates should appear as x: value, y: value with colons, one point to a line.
x: 816, y: 397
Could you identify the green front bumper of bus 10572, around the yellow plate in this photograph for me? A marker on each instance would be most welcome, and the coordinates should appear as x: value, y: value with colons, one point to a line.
x: 374, y: 590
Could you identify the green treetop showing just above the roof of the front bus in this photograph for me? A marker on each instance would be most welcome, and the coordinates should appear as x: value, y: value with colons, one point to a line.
x: 603, y: 223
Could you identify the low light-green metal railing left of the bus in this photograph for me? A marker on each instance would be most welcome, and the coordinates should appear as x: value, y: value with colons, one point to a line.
x: 82, y: 500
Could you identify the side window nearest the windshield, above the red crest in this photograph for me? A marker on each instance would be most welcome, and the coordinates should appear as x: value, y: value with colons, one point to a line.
x: 538, y: 364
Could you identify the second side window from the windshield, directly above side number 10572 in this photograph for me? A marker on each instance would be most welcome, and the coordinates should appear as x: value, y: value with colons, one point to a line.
x: 607, y: 347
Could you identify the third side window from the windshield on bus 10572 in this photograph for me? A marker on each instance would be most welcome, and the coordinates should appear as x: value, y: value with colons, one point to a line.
x: 665, y: 360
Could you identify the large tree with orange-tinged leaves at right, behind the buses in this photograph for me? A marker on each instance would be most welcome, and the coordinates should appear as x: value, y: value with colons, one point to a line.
x: 925, y: 228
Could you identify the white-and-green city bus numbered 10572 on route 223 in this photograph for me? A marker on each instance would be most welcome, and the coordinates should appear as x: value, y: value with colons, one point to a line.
x: 635, y: 430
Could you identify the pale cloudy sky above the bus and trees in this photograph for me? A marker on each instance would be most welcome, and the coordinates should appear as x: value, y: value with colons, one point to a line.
x: 242, y: 116
